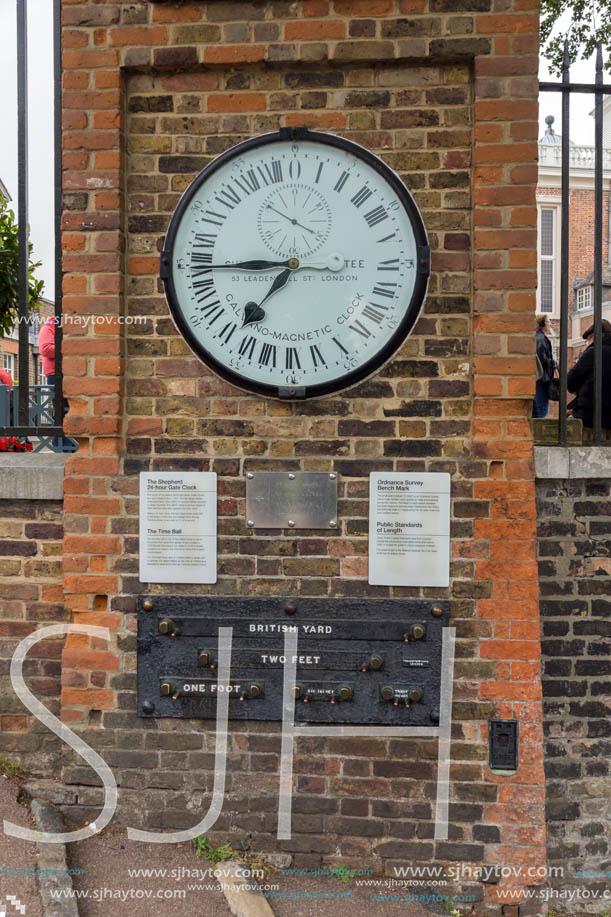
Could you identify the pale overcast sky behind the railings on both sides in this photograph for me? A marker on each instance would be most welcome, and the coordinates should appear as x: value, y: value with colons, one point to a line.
x: 41, y: 125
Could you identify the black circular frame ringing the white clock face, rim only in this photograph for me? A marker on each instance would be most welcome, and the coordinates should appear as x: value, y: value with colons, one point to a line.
x: 374, y: 363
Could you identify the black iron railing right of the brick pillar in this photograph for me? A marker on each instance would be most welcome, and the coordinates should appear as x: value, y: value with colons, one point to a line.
x: 599, y: 90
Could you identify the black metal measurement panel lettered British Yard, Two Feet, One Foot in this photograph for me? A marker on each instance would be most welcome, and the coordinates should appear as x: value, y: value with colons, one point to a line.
x: 357, y: 660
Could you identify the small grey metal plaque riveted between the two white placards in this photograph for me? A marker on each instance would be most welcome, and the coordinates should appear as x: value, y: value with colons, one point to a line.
x: 293, y: 499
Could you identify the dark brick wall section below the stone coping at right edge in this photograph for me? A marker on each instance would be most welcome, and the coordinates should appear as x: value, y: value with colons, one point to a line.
x: 574, y: 529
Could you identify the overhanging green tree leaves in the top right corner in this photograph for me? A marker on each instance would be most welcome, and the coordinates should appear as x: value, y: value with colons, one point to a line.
x: 590, y: 23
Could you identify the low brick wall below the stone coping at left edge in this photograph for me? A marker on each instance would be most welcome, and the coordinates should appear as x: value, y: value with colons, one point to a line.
x: 30, y: 596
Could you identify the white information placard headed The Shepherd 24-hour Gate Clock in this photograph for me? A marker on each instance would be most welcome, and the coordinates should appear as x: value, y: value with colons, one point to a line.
x: 178, y: 527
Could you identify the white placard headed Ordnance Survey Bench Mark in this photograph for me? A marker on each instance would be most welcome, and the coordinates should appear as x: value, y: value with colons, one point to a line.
x: 409, y: 529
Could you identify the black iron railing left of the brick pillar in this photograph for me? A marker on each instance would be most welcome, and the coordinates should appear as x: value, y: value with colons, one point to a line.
x: 27, y: 419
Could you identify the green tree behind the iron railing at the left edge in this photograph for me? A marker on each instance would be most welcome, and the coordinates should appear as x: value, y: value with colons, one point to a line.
x: 9, y: 270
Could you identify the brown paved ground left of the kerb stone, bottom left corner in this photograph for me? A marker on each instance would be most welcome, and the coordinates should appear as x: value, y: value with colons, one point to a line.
x: 16, y: 855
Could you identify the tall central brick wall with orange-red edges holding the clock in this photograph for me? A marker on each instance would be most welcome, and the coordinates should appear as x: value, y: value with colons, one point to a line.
x: 448, y: 98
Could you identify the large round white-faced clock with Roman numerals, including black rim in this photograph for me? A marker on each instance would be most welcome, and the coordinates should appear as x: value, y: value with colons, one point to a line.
x: 295, y: 264
